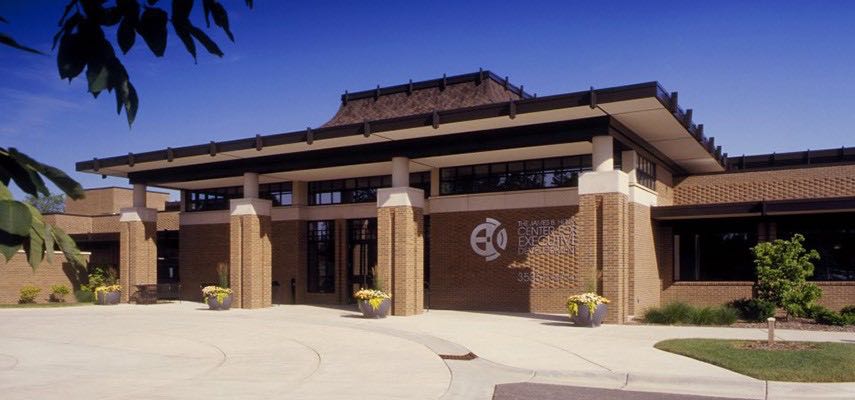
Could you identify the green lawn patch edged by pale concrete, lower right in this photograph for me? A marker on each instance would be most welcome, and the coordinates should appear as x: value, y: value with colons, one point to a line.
x: 825, y: 362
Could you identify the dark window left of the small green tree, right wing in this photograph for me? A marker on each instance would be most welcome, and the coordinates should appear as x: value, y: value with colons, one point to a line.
x: 714, y: 251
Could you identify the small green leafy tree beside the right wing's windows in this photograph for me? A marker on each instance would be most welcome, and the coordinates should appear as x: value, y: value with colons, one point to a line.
x: 783, y: 267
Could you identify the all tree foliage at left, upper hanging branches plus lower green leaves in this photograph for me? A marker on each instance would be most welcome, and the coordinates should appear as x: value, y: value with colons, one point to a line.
x: 83, y: 44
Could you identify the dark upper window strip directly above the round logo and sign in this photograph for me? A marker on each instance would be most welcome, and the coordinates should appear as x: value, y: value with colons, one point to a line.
x: 515, y: 175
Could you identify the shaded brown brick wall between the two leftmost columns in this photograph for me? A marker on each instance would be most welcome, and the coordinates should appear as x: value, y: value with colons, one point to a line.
x: 201, y: 247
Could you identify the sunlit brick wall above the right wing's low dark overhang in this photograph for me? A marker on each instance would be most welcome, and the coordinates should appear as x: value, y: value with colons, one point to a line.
x: 816, y: 182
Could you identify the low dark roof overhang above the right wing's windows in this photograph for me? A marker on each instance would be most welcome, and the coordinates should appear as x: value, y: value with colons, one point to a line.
x: 754, y: 209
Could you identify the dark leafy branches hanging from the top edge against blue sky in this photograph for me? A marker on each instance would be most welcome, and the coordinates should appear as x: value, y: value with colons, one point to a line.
x: 83, y: 44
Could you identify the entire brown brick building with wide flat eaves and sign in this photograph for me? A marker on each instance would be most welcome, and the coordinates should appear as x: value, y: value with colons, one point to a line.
x: 466, y: 192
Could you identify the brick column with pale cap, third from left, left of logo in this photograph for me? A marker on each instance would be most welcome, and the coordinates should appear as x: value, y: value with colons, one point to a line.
x: 400, y: 248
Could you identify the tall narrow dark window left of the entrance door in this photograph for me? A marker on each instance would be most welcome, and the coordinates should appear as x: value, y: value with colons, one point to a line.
x: 321, y: 257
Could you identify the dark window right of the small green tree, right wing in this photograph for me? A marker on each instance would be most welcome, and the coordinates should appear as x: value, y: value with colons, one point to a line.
x: 832, y: 236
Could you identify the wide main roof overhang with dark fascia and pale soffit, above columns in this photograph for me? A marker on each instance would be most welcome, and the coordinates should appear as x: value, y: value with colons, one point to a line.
x: 642, y: 116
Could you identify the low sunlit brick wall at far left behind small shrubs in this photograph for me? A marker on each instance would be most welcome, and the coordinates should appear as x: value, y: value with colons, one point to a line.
x: 17, y: 273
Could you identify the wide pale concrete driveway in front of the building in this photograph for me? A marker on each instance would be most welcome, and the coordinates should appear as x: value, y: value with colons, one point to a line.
x: 183, y: 351
